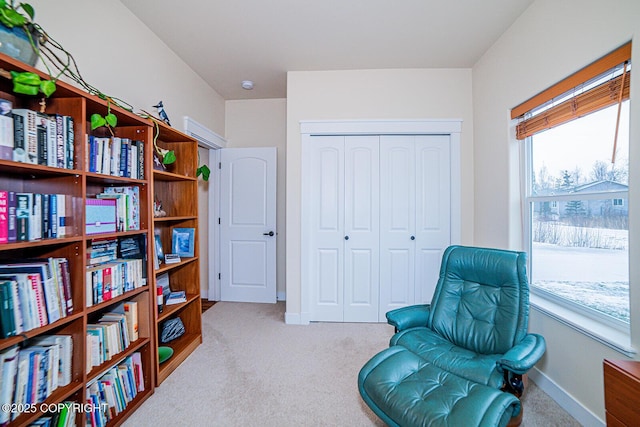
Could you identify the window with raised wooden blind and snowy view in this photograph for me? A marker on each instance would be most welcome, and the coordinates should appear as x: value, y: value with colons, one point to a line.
x: 577, y: 192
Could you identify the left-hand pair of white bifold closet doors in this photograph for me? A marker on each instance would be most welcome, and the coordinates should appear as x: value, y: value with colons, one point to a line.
x: 343, y: 238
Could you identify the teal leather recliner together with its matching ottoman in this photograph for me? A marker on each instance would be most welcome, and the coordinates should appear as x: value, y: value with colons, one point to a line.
x: 460, y: 359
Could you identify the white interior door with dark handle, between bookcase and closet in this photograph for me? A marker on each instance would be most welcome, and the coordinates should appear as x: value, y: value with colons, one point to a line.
x: 248, y: 224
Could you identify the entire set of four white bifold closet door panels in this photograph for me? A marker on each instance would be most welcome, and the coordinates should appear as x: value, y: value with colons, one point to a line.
x: 376, y: 223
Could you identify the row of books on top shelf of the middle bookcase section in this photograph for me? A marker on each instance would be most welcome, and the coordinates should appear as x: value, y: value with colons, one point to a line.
x: 115, y: 156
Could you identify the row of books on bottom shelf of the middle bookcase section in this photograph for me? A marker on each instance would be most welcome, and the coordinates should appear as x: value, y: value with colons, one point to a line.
x: 111, y: 393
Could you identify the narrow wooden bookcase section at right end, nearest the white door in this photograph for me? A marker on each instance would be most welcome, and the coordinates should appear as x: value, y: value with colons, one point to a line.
x: 177, y: 189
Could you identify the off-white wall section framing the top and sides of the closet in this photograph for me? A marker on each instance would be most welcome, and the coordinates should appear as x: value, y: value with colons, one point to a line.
x: 370, y: 94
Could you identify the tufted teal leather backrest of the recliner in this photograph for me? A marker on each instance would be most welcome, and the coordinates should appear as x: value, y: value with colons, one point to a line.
x: 481, y: 301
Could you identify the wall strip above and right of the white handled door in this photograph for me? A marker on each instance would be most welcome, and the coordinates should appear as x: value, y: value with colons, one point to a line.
x: 262, y: 123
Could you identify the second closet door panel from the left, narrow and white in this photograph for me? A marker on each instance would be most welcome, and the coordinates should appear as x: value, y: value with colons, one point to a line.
x: 362, y: 223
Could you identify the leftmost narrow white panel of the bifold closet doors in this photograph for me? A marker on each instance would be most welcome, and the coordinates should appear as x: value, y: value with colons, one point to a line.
x: 324, y: 213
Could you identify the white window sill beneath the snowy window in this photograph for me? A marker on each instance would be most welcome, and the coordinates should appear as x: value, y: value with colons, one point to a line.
x: 614, y: 338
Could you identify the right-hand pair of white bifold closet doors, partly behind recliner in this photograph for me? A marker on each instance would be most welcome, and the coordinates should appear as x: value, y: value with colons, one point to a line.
x: 415, y: 217
